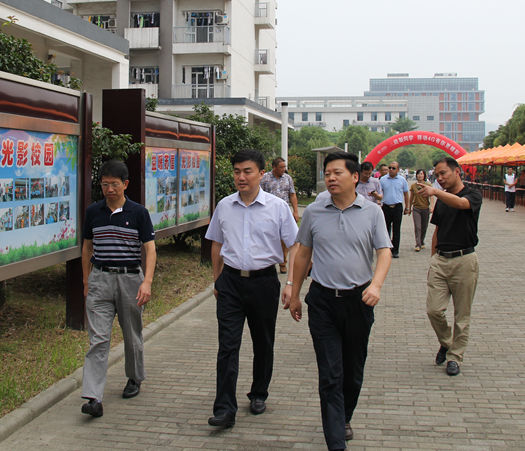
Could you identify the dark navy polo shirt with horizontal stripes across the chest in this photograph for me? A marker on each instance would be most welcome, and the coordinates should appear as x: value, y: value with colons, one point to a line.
x: 117, y: 236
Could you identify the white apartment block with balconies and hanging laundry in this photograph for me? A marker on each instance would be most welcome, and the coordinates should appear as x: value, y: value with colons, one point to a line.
x: 220, y: 52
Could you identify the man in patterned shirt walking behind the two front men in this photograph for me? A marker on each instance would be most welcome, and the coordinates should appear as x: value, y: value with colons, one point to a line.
x: 280, y: 184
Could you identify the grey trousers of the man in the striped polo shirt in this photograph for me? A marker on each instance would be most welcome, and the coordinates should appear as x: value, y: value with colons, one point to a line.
x: 110, y: 294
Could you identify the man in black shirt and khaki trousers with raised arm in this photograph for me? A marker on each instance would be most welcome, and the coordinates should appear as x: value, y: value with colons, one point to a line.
x: 454, y: 264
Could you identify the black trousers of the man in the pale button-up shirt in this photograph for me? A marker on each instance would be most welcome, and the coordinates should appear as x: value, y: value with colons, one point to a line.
x: 239, y: 298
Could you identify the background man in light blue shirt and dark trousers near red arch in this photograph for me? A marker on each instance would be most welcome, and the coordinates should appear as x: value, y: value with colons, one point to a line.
x: 395, y: 189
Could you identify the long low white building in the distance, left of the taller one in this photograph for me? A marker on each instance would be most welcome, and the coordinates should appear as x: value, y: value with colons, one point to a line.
x: 335, y: 113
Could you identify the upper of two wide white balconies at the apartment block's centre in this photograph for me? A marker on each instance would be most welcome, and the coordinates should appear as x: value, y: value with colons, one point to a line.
x: 202, y: 39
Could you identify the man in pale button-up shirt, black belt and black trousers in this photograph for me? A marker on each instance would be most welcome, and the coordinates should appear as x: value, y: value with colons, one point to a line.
x: 246, y: 229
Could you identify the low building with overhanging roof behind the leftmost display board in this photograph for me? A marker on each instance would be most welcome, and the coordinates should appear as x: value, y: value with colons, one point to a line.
x: 78, y: 48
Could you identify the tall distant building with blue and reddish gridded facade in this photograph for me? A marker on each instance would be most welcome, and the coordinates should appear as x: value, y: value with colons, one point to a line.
x: 445, y: 104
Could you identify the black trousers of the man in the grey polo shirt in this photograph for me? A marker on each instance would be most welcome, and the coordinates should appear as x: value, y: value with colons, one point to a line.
x: 340, y: 328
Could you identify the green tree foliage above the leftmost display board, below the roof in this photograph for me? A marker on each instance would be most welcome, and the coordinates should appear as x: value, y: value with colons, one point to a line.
x: 17, y: 57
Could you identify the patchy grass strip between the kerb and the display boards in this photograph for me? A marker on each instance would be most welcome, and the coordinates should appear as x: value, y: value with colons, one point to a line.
x: 36, y: 348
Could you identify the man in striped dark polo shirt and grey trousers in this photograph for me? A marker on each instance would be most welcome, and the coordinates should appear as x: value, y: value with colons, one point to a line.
x: 115, y: 229
